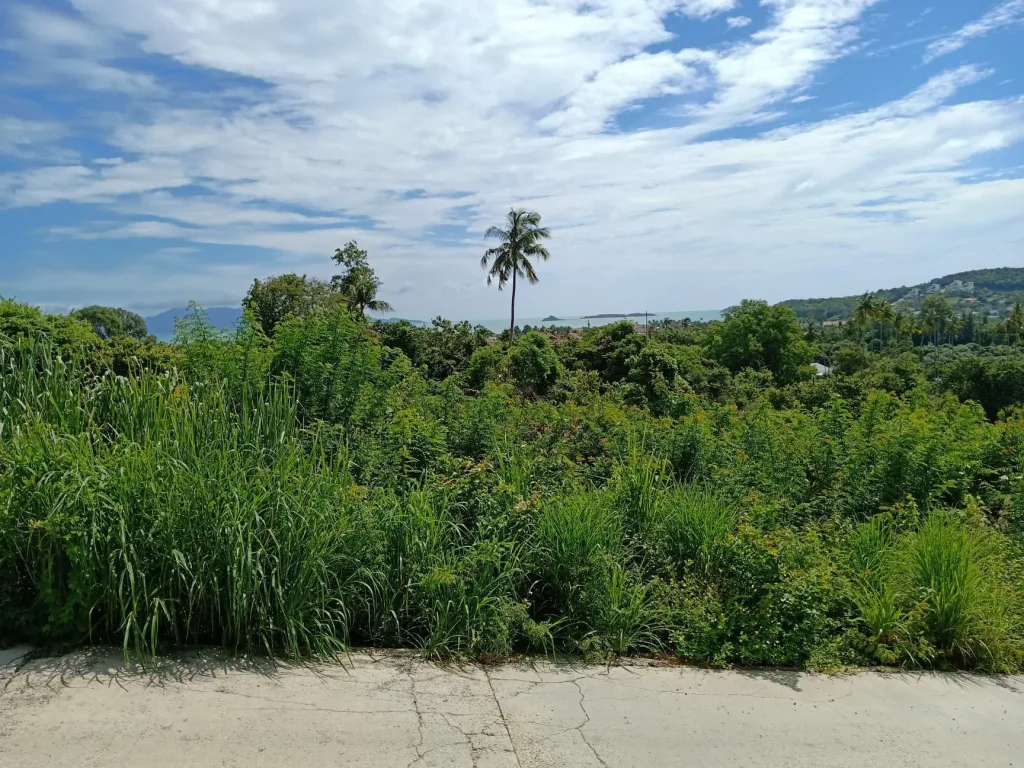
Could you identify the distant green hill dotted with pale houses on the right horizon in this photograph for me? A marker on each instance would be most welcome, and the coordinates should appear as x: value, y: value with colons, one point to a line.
x: 994, y: 291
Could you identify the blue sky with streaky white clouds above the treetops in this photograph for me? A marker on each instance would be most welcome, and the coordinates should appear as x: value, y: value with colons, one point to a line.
x: 686, y: 154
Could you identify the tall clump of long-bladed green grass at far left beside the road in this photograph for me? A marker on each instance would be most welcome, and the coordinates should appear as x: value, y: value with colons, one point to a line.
x: 144, y: 510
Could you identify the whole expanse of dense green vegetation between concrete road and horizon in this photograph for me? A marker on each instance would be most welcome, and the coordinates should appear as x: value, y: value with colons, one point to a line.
x: 313, y: 482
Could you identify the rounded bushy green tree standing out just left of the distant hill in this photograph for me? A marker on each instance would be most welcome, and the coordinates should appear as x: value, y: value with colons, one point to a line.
x: 762, y: 337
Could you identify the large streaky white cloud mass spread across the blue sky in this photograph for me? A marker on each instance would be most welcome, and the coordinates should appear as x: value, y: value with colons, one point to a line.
x: 479, y: 106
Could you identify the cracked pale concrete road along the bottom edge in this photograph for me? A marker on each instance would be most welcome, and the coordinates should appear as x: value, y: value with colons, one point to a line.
x: 204, y: 710
